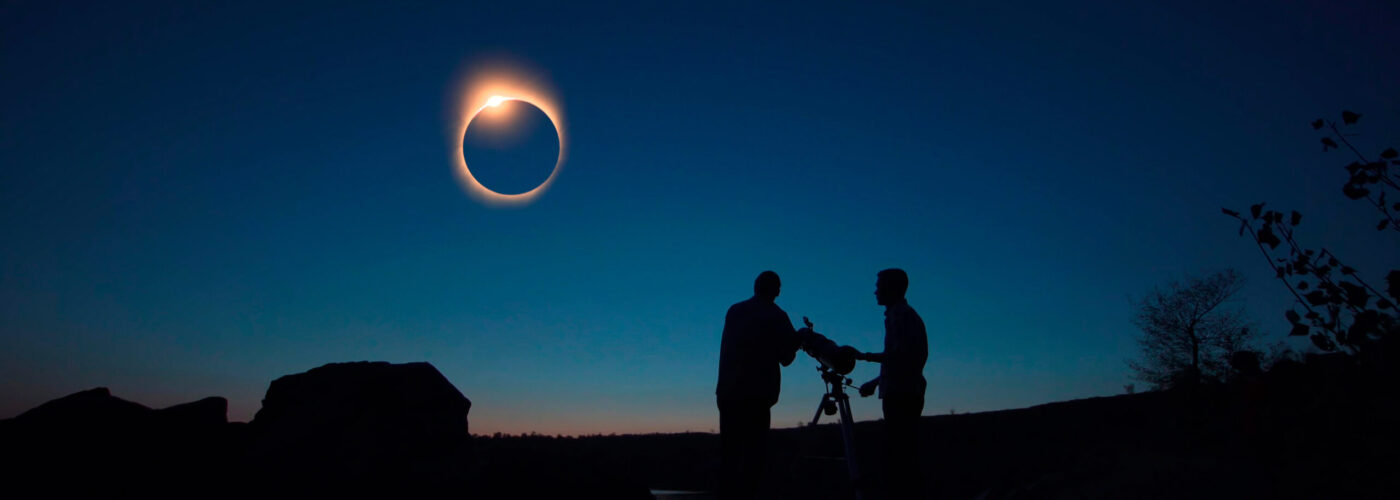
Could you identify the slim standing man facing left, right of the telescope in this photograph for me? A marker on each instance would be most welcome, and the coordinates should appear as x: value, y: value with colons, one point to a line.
x: 901, y: 383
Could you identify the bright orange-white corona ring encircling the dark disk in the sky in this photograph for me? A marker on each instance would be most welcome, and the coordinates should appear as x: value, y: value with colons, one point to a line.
x: 492, y: 95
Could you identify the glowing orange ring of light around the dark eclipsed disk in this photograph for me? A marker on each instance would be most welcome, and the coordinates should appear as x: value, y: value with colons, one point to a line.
x: 491, y: 88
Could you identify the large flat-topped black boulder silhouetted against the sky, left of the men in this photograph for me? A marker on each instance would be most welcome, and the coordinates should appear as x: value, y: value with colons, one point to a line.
x: 352, y: 419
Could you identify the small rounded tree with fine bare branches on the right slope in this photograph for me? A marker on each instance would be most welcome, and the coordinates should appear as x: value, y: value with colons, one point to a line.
x: 1191, y: 330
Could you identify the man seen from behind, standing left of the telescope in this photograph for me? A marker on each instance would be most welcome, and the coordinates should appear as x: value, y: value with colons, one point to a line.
x: 758, y: 340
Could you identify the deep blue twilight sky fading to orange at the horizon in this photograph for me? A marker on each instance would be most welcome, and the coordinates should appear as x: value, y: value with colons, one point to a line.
x: 199, y: 198
